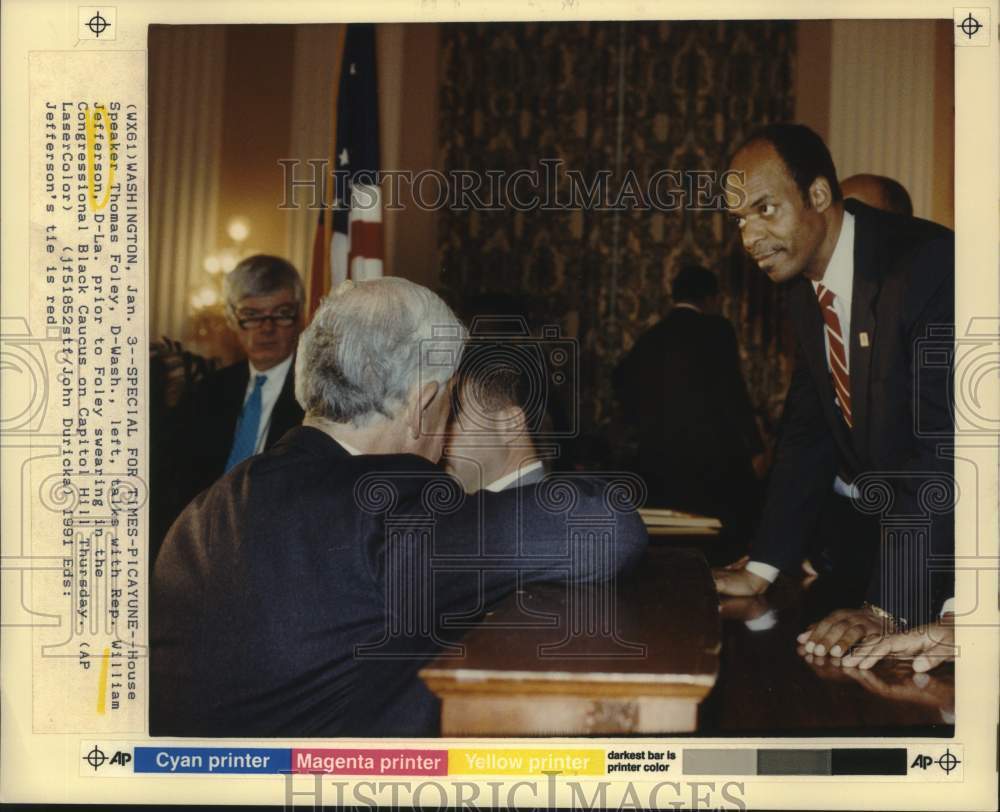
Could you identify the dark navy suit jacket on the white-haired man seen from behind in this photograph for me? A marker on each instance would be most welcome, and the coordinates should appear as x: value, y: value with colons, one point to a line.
x: 271, y: 578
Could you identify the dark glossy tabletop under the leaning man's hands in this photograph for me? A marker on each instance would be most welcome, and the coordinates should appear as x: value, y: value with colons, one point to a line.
x: 766, y: 688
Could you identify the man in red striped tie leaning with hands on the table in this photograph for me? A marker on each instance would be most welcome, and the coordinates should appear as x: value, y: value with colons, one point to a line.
x: 864, y: 415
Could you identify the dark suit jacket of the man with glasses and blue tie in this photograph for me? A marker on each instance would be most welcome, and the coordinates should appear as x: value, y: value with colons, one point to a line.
x: 201, y: 436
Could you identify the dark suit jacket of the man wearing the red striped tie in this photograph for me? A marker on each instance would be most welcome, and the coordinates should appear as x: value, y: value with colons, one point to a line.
x: 901, y: 405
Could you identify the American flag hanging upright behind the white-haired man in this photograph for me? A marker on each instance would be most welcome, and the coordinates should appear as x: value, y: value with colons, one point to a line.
x: 349, y: 245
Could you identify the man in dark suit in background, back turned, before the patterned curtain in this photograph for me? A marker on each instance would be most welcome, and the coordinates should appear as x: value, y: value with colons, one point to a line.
x: 682, y: 382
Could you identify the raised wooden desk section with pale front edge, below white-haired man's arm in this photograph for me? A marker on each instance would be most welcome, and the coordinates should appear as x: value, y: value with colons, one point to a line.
x: 633, y: 656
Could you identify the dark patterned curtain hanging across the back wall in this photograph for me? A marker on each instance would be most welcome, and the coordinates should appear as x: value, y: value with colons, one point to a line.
x: 629, y: 99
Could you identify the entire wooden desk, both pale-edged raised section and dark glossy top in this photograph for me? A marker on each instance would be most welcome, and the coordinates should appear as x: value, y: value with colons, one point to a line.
x: 509, y: 684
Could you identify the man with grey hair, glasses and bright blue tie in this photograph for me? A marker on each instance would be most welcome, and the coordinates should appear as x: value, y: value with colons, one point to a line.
x: 244, y: 408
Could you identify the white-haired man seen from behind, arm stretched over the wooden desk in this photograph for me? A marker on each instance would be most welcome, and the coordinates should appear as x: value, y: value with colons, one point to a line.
x: 301, y: 593
